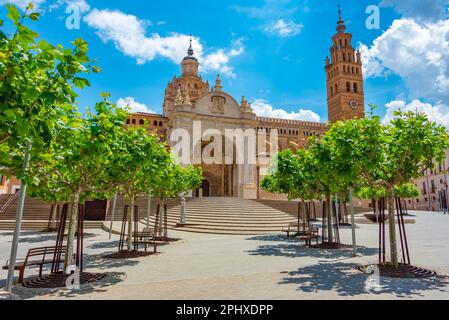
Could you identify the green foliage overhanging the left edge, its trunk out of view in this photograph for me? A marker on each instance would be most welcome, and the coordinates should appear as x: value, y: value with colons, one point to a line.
x: 37, y: 81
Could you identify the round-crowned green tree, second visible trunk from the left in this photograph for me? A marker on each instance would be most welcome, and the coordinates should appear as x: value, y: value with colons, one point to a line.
x: 136, y: 159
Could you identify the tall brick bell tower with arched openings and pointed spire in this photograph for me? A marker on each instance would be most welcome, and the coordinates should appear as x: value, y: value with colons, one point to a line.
x: 344, y: 79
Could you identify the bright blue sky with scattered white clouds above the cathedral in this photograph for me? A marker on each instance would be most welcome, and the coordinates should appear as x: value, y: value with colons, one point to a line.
x: 270, y: 51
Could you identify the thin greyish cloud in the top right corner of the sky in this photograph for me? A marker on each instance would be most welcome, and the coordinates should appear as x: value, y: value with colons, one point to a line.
x: 424, y: 10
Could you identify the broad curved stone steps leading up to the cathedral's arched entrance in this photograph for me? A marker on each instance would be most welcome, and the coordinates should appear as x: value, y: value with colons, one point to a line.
x: 220, y: 215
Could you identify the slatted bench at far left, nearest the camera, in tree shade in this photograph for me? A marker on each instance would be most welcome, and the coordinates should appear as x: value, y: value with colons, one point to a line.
x: 45, y: 255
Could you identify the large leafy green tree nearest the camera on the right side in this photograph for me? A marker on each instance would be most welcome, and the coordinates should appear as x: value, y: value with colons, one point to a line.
x: 391, y: 155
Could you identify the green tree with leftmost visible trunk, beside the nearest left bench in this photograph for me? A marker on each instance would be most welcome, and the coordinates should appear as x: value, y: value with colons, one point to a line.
x: 79, y: 155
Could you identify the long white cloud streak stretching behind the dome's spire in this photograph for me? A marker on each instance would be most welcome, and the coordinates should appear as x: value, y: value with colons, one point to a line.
x: 128, y: 33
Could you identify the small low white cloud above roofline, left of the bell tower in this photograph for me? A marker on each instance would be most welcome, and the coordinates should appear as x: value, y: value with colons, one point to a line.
x: 263, y: 108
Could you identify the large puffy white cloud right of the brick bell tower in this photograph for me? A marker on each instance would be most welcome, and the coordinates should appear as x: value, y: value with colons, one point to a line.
x: 418, y: 53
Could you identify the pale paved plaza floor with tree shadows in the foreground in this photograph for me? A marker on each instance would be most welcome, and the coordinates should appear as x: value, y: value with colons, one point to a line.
x: 206, y: 266
